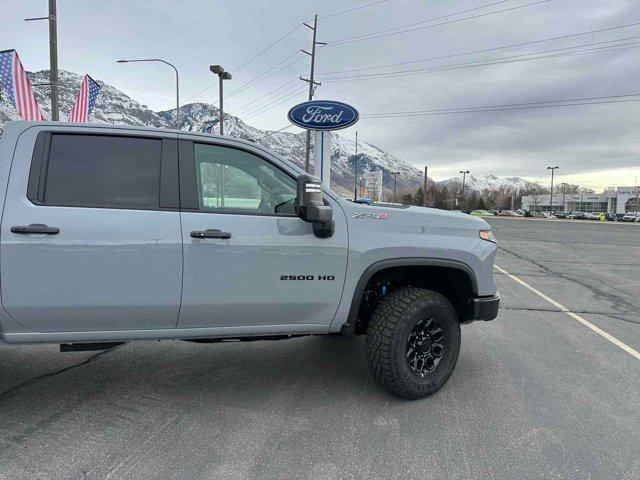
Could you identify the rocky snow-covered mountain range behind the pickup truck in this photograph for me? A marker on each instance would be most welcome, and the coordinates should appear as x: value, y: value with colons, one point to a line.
x: 115, y: 107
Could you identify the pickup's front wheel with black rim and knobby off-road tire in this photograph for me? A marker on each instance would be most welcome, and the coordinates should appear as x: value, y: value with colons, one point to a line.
x: 413, y: 341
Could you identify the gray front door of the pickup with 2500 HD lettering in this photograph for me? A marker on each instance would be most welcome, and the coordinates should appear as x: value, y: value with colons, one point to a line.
x: 248, y: 260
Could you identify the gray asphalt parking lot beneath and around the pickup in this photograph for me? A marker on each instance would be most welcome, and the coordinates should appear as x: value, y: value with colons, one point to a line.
x: 536, y: 393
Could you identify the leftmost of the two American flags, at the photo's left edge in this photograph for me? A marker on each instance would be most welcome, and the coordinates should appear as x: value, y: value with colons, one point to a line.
x: 15, y: 81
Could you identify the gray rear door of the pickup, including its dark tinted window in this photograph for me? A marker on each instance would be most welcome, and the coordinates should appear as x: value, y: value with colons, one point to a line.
x: 109, y: 252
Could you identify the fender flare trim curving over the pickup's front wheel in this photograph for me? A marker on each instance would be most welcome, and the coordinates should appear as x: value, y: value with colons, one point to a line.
x: 349, y: 327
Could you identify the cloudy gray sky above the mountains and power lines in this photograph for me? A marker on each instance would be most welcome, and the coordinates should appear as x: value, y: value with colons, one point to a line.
x: 596, y: 145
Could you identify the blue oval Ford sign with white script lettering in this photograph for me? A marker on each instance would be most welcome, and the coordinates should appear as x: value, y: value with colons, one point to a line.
x: 323, y: 115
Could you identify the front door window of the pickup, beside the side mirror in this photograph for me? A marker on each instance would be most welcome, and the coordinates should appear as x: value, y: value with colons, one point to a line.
x: 231, y: 180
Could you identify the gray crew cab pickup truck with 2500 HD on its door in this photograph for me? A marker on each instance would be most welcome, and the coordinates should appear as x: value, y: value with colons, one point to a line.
x: 112, y: 234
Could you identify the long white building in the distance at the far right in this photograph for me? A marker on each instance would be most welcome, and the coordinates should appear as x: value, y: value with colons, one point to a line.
x: 620, y: 200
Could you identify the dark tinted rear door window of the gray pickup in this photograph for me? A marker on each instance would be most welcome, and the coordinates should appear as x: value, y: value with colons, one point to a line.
x: 103, y: 171
